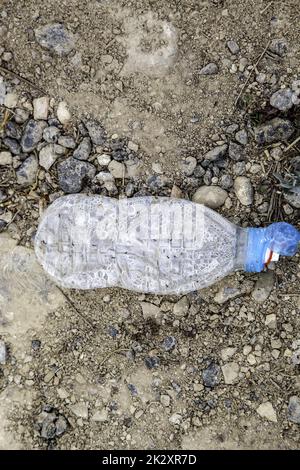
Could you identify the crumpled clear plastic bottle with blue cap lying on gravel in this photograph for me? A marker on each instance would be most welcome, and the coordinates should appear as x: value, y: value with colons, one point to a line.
x: 150, y: 244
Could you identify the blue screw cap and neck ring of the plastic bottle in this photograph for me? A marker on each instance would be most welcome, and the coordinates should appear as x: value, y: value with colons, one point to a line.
x: 280, y: 238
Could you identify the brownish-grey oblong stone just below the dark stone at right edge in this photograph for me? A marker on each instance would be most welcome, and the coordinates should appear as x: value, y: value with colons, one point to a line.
x: 276, y: 130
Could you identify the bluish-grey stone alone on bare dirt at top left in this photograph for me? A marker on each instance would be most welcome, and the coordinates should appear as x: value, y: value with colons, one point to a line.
x: 55, y: 38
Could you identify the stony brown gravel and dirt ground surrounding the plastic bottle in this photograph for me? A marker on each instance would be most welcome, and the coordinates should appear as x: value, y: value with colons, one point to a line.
x: 196, y: 100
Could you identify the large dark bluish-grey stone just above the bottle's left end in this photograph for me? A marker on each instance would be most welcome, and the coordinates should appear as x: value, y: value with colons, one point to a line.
x: 72, y: 174
